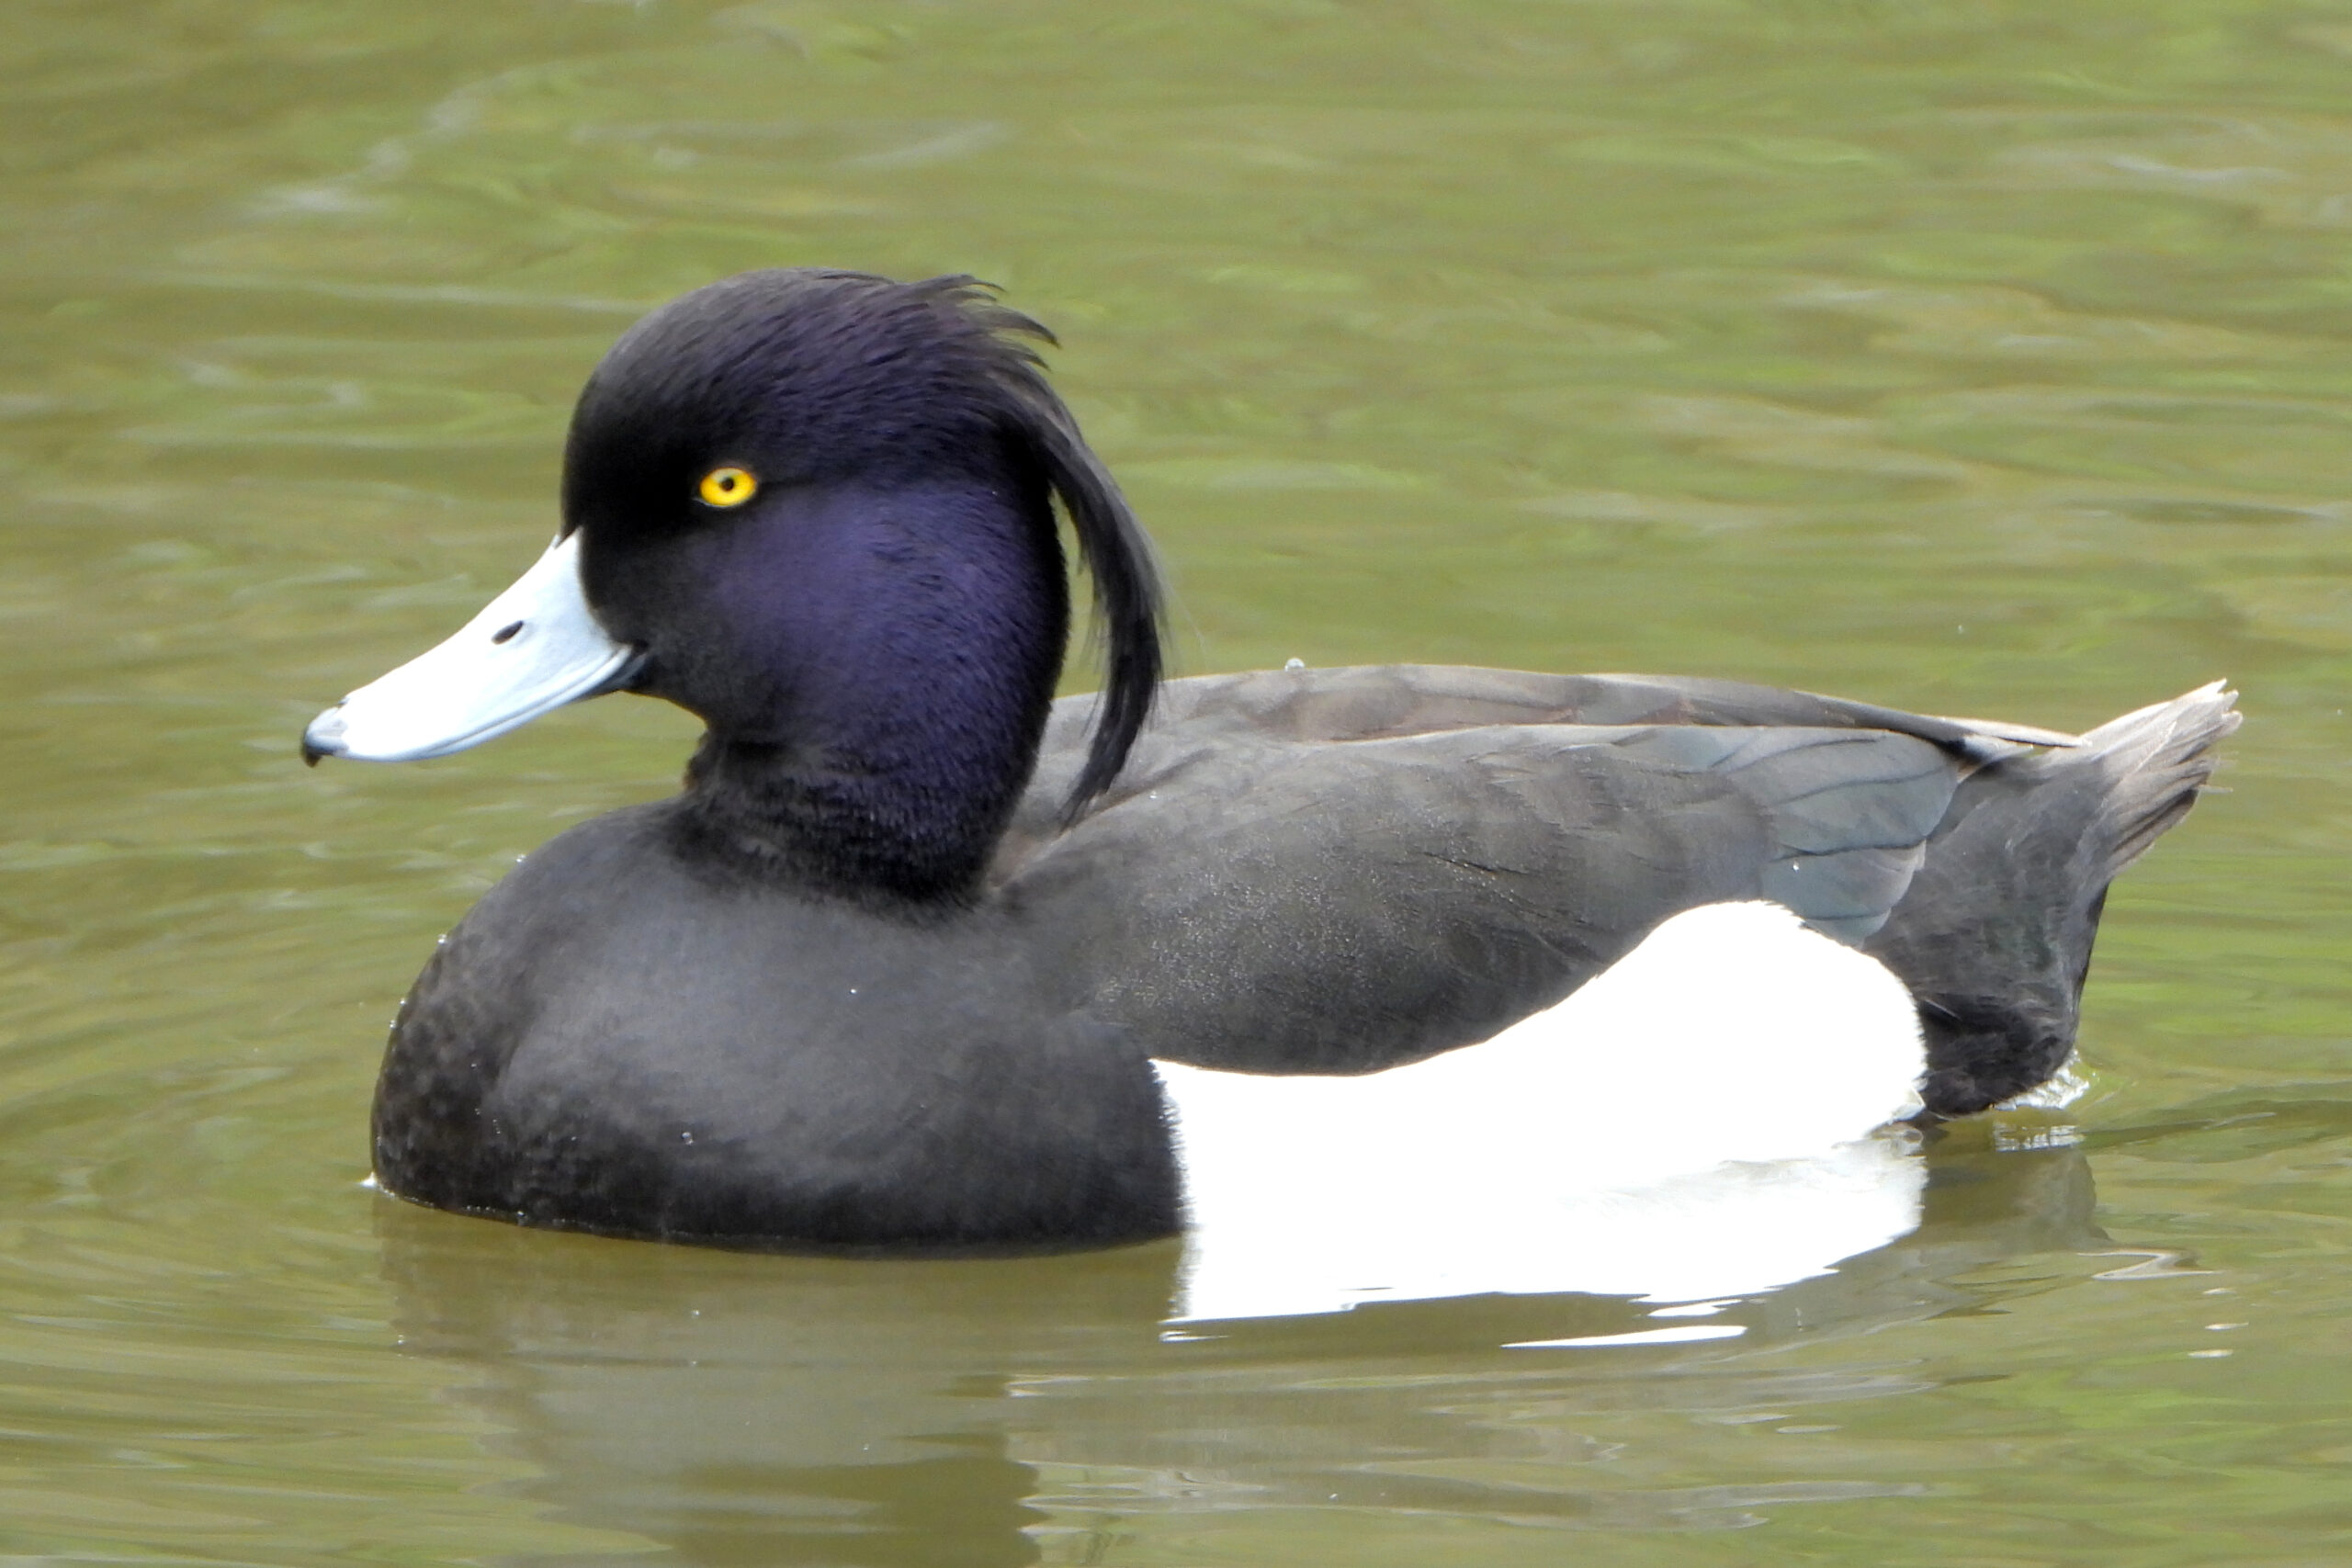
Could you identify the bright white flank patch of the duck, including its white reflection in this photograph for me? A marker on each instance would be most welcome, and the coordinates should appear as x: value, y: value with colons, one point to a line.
x: 1697, y: 1123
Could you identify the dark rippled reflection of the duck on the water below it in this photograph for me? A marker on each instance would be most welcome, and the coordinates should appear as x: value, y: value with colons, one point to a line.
x: 742, y: 1409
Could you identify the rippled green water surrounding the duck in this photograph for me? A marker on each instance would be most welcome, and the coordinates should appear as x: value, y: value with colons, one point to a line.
x: 1953, y: 354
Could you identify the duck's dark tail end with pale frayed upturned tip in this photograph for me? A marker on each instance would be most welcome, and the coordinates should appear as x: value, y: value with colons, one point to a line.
x: 1996, y: 932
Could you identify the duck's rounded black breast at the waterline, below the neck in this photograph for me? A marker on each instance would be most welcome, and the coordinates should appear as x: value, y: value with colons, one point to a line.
x: 624, y: 1043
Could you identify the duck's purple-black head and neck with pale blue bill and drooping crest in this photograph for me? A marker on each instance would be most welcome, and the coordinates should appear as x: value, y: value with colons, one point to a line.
x: 817, y: 511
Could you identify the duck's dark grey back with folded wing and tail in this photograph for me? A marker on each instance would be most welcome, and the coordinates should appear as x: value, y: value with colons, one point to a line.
x: 1339, y: 871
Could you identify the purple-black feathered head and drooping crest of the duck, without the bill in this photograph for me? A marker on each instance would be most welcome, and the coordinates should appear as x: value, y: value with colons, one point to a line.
x: 834, y: 387
